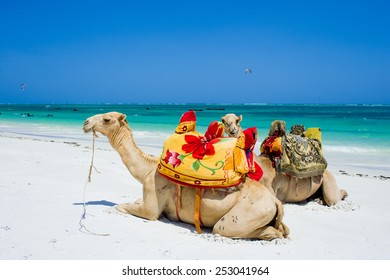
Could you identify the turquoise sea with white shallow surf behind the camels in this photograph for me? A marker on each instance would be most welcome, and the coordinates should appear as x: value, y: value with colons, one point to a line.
x: 353, y: 135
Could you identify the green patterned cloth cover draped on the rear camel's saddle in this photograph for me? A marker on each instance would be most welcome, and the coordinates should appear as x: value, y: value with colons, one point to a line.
x: 301, y: 157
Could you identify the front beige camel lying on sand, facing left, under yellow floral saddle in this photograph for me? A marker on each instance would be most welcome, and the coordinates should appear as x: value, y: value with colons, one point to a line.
x: 250, y: 211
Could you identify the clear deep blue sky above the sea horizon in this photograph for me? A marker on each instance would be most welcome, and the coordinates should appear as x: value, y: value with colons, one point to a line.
x: 195, y: 51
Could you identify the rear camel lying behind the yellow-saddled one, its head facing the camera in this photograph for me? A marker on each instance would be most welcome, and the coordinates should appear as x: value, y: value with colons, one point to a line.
x: 289, y: 189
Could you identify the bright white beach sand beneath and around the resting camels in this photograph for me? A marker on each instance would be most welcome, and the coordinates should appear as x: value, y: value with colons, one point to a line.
x: 41, y: 203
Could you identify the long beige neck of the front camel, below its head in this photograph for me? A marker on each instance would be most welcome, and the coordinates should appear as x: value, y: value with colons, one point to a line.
x: 138, y: 163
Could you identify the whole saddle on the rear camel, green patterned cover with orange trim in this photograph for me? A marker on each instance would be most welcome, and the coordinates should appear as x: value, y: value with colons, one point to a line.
x: 297, y: 153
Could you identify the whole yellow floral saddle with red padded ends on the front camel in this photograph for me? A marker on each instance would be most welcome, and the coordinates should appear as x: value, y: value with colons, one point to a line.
x: 210, y: 160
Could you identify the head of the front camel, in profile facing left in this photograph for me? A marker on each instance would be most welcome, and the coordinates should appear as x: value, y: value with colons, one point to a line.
x: 106, y: 124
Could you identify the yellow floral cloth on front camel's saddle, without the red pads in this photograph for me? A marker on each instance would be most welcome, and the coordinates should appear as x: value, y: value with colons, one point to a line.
x: 190, y: 161
